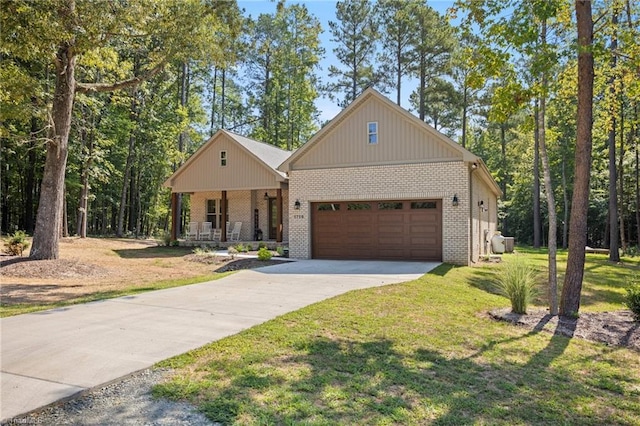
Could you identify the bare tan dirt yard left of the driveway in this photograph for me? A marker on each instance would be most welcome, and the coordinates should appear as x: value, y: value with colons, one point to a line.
x: 103, y: 265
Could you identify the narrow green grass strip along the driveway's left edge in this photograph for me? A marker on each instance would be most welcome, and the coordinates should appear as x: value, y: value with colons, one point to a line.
x: 18, y: 309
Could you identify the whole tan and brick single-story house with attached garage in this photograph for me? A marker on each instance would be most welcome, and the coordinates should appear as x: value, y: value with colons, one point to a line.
x: 374, y: 183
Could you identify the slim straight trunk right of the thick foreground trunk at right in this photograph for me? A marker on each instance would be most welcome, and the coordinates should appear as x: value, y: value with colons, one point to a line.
x: 614, y: 254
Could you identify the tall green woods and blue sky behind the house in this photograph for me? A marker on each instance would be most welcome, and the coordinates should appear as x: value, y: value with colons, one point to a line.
x: 498, y: 77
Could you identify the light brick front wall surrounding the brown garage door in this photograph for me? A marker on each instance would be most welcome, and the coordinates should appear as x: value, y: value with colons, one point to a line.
x: 391, y: 182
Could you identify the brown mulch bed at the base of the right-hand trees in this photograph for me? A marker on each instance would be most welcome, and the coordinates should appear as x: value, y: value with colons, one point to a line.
x: 616, y: 328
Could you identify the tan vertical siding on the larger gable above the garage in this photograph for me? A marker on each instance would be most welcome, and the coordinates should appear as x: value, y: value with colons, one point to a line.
x: 399, y: 141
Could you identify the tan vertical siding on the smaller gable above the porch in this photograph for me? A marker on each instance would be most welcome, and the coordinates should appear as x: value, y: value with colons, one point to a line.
x: 242, y: 172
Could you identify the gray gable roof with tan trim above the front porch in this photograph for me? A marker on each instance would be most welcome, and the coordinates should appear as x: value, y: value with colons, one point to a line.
x: 268, y: 156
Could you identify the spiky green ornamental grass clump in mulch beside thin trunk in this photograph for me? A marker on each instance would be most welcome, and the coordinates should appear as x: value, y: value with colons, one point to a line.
x: 517, y: 281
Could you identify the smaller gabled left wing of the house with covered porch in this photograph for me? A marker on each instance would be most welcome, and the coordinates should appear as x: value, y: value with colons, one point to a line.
x: 232, y: 178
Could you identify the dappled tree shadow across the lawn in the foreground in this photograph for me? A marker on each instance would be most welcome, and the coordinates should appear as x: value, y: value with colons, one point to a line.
x: 338, y: 381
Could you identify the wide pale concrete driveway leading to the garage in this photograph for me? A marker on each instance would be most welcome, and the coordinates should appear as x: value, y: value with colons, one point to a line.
x: 55, y: 354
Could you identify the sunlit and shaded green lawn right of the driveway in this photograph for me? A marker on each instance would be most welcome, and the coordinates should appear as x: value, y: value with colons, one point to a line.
x: 420, y: 352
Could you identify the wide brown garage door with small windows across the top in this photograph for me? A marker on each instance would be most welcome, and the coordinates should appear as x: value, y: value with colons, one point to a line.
x: 386, y: 230
